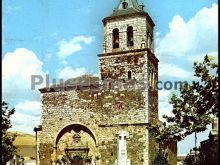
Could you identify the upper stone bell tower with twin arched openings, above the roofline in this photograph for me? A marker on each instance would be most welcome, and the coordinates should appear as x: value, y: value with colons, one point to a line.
x: 128, y: 48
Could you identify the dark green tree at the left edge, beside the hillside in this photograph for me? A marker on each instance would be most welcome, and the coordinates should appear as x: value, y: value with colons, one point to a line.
x: 8, y: 149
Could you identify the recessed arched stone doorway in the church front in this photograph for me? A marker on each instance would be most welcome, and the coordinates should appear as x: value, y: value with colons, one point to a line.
x: 76, y: 145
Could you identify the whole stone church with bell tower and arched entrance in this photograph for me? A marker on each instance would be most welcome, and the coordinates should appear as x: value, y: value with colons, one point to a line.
x: 81, y: 118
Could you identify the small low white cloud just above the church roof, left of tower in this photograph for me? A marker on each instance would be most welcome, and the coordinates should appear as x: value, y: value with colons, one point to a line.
x: 69, y: 72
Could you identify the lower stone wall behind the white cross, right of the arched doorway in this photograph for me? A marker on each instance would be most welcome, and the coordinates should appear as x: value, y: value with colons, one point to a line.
x: 136, y: 144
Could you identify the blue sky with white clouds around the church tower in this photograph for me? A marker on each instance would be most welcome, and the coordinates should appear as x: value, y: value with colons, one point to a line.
x: 63, y: 38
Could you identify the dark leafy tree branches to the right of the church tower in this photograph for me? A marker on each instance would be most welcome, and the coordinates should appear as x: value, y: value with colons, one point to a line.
x: 194, y: 106
